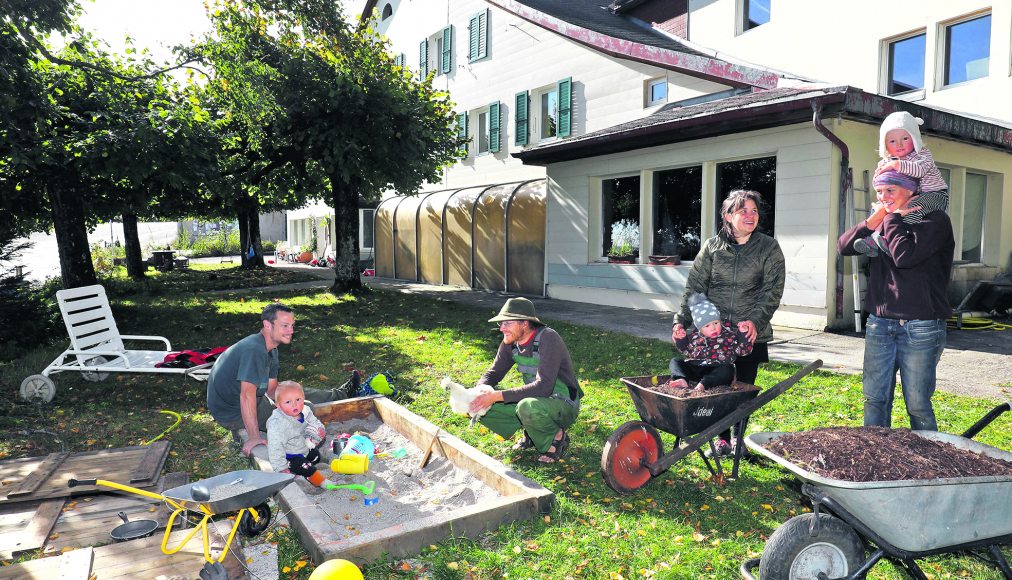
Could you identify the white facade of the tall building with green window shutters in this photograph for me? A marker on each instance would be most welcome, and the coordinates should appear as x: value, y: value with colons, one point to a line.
x: 523, y: 56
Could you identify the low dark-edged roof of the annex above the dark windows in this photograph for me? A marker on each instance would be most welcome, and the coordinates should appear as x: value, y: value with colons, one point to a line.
x: 763, y: 110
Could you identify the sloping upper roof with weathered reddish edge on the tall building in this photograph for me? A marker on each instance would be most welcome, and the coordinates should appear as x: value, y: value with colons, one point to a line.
x: 592, y: 24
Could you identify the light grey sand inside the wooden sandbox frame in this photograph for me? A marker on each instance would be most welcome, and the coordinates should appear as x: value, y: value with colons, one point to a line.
x: 404, y: 492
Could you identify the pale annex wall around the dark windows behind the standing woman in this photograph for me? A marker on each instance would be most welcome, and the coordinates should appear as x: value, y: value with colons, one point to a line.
x: 805, y: 215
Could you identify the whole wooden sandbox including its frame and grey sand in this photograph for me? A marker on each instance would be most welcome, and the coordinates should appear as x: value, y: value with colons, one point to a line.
x: 461, y: 491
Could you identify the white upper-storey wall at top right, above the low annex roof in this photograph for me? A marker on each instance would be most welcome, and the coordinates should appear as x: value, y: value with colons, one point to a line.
x: 846, y: 44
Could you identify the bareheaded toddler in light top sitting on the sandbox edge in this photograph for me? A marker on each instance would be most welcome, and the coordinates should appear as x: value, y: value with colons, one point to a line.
x: 291, y: 431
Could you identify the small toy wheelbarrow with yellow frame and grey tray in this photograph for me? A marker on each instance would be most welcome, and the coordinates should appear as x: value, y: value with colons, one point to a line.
x: 245, y: 491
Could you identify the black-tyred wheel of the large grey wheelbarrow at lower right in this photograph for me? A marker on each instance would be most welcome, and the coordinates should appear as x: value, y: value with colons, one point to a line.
x: 793, y: 552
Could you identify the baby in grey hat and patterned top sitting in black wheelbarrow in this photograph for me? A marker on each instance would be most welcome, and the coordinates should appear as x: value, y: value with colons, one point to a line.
x: 710, y: 351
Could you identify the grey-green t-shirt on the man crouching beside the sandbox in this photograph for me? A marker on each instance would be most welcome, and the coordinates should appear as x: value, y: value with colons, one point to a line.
x: 246, y: 361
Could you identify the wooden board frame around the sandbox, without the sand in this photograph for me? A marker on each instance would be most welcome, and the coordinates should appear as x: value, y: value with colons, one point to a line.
x: 521, y: 499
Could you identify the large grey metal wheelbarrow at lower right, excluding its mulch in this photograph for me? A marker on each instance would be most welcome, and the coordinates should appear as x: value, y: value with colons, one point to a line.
x: 904, y: 521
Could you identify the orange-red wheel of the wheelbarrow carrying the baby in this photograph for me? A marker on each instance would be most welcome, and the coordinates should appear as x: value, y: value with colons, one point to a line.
x: 627, y: 454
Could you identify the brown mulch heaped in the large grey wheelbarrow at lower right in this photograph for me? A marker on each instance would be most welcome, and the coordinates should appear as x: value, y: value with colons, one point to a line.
x: 879, y: 454
